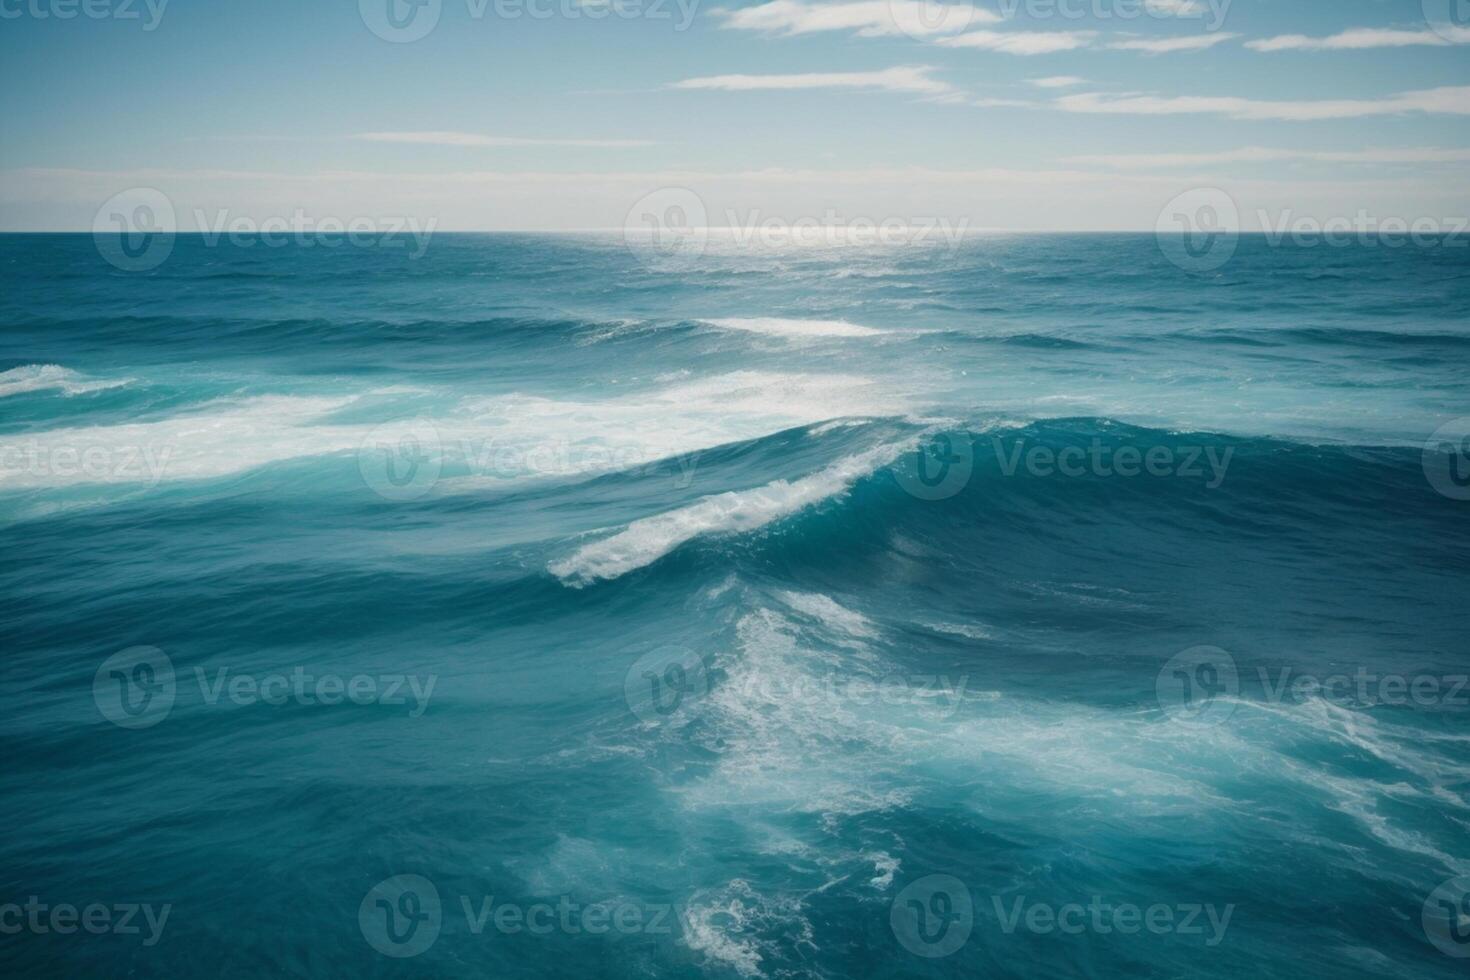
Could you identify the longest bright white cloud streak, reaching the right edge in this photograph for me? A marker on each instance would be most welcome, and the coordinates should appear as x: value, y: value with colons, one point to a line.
x: 1450, y: 101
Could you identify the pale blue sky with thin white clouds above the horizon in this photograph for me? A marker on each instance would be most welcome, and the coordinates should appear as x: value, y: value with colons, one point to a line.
x: 556, y: 115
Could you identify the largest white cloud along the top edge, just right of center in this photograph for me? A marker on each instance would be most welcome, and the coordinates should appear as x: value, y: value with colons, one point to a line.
x: 867, y: 18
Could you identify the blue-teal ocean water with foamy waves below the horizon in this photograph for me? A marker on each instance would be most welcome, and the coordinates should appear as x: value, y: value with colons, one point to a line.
x: 551, y: 608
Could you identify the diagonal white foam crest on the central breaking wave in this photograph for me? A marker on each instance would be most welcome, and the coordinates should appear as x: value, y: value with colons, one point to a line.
x: 736, y: 512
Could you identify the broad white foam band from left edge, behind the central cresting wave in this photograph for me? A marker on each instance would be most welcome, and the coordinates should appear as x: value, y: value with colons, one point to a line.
x: 495, y: 439
